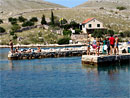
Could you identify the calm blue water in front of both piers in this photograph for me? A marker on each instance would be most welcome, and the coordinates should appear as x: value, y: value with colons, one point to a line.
x: 61, y: 77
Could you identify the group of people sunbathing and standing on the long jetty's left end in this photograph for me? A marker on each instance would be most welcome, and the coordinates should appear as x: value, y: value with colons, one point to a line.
x: 17, y: 50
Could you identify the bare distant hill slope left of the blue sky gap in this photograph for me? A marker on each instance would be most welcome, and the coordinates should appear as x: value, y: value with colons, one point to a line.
x: 20, y: 5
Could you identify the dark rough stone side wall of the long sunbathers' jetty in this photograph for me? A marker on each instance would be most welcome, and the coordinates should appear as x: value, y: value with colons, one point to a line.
x: 69, y: 53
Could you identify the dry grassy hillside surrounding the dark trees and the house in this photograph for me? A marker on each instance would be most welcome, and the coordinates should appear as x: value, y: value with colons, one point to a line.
x: 114, y: 14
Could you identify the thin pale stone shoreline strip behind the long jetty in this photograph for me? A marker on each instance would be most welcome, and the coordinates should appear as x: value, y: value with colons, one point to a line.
x: 42, y: 45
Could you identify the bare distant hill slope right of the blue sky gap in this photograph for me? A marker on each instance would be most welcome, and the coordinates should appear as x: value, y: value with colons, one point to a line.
x: 106, y: 3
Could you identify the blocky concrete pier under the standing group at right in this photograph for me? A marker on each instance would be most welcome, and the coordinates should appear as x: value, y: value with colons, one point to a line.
x: 105, y: 59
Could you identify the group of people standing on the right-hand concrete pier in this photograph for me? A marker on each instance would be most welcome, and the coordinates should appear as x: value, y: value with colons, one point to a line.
x: 110, y: 46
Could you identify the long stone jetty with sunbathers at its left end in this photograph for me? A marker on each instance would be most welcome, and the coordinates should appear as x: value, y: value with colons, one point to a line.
x: 48, y: 53
